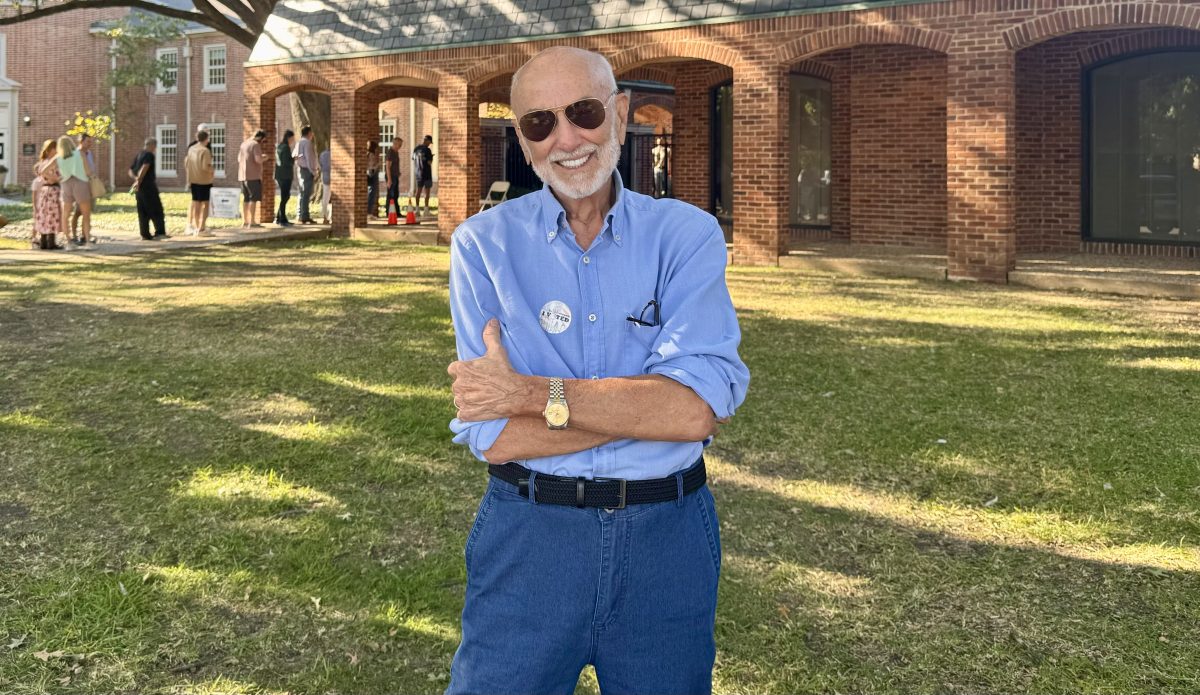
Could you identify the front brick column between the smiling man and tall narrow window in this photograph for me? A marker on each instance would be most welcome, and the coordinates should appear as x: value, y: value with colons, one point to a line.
x: 760, y: 164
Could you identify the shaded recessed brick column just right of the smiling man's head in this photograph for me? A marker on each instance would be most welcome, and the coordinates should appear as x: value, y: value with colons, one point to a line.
x: 691, y: 139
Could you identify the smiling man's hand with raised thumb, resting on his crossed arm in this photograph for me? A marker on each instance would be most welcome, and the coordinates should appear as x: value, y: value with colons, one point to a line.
x: 488, y: 388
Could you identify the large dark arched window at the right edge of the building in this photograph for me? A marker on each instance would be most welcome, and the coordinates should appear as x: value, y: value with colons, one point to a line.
x: 1143, y: 175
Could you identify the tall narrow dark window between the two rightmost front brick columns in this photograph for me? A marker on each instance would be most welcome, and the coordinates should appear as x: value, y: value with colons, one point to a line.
x: 809, y: 151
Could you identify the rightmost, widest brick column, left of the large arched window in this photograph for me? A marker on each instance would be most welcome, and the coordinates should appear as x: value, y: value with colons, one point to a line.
x: 981, y: 148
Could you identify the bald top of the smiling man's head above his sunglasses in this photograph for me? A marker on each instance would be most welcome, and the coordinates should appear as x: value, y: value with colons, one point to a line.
x: 561, y: 67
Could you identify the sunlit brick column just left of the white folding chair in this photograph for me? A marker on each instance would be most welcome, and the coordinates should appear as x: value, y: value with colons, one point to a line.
x: 459, y: 148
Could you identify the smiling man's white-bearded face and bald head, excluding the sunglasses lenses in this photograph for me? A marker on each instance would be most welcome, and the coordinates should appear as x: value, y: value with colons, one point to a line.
x: 574, y: 161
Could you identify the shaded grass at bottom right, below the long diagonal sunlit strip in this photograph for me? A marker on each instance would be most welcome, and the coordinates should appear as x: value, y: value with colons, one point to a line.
x: 818, y: 598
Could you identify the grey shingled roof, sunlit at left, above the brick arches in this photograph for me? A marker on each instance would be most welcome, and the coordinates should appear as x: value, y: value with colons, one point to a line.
x: 314, y: 29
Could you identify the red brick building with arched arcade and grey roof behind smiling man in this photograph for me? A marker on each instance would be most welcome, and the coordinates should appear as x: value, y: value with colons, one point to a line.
x: 980, y: 129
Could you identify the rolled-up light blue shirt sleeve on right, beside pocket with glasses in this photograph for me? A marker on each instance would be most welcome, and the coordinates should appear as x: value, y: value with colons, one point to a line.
x: 698, y: 345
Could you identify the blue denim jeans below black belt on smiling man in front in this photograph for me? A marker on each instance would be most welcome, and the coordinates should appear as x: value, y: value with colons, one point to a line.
x: 553, y: 589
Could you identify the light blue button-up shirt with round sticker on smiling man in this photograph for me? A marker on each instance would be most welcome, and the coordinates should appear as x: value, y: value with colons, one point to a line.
x: 563, y: 313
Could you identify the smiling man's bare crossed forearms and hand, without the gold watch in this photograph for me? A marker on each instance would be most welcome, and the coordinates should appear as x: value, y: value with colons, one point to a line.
x: 641, y: 408
